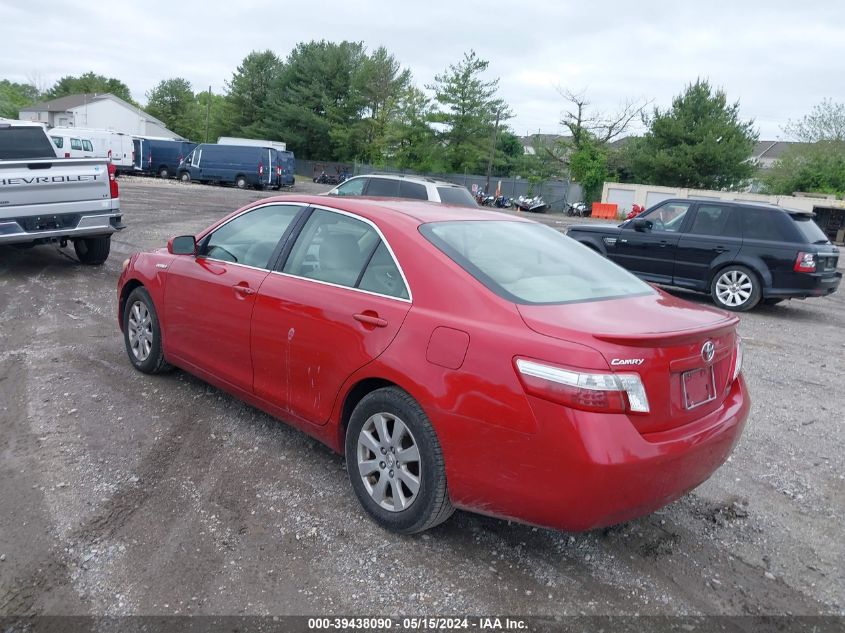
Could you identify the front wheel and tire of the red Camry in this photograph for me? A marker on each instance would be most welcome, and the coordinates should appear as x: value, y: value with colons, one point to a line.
x: 142, y: 333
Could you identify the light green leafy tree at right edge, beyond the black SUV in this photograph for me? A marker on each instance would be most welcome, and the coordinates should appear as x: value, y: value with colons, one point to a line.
x: 817, y: 163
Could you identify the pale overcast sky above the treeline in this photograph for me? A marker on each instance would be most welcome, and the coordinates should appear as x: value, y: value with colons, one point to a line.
x: 778, y: 58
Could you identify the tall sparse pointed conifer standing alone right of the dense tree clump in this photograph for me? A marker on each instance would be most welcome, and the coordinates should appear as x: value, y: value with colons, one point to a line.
x: 467, y: 111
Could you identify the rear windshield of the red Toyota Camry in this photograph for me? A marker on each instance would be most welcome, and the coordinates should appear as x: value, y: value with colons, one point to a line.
x: 530, y: 263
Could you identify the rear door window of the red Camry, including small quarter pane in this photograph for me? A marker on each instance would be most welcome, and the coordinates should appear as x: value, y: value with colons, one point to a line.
x: 342, y: 250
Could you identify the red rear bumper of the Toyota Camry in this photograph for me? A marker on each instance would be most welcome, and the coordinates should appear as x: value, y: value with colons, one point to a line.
x: 586, y: 471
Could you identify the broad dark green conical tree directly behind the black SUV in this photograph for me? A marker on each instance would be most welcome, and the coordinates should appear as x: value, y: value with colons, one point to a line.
x: 699, y: 142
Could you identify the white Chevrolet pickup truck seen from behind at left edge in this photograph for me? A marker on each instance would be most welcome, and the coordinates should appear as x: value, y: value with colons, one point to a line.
x: 46, y: 199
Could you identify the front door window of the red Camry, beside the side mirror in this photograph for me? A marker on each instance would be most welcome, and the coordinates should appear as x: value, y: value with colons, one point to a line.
x: 251, y: 238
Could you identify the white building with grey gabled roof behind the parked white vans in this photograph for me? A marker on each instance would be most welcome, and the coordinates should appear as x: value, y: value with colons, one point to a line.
x: 97, y: 111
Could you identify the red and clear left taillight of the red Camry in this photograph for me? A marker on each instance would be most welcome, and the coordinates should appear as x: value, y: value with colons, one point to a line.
x: 588, y: 391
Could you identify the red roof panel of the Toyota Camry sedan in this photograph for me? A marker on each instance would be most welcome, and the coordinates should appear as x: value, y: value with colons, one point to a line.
x: 379, y: 208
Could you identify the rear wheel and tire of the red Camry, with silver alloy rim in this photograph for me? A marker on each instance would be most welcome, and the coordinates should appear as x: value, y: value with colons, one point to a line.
x: 395, y: 463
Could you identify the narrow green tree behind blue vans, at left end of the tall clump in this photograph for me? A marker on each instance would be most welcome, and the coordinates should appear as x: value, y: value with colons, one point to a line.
x: 249, y: 91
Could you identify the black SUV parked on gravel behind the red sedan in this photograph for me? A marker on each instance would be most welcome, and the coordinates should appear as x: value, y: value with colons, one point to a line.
x: 740, y: 253
